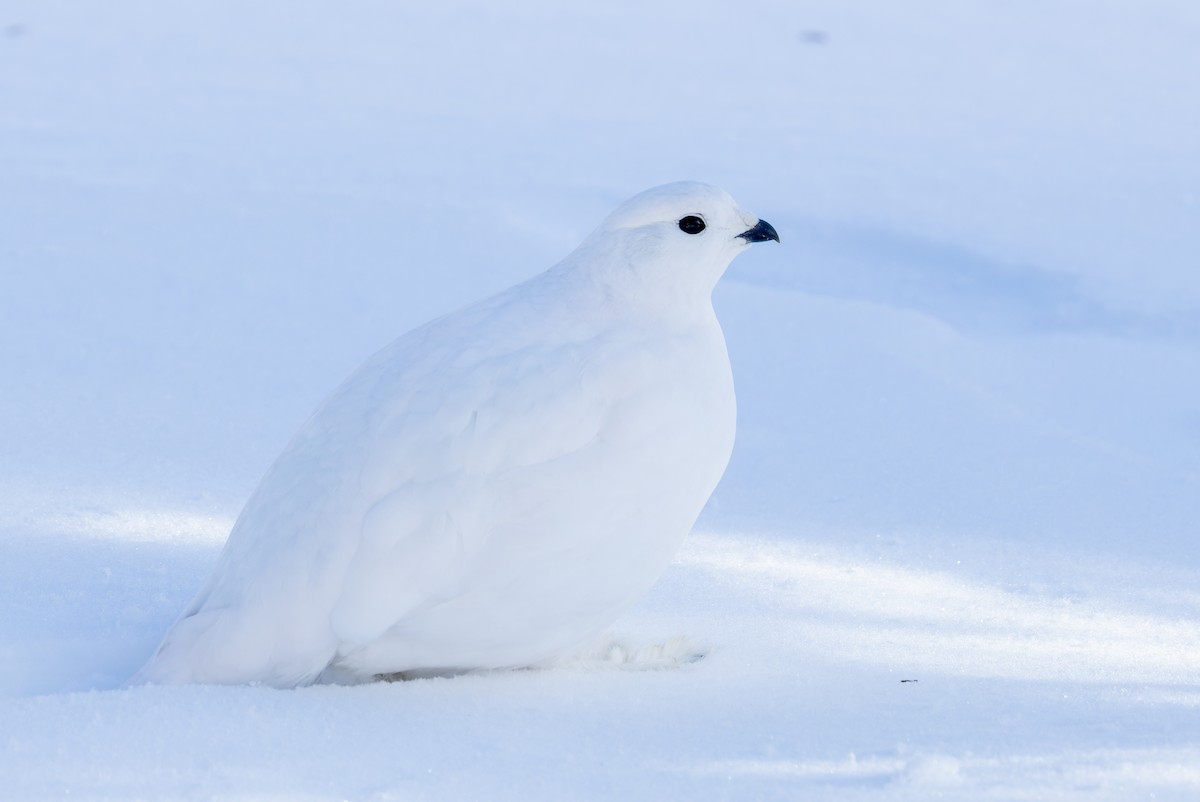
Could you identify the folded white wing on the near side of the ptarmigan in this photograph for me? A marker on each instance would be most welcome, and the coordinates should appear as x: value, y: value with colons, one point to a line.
x: 440, y: 475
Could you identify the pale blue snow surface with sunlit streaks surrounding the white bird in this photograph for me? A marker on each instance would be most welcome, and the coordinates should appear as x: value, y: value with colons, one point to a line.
x: 968, y: 382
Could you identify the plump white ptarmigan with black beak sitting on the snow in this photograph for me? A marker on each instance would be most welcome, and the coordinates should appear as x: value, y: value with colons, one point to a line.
x: 495, y: 488
